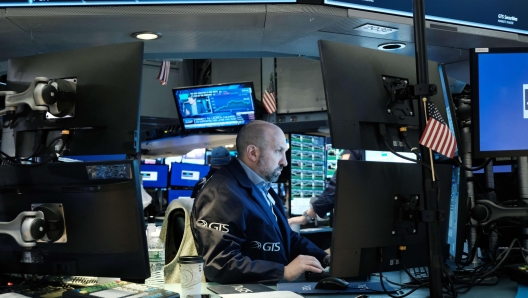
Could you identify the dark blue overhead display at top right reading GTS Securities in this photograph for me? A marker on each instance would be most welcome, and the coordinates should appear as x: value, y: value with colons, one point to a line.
x: 489, y: 14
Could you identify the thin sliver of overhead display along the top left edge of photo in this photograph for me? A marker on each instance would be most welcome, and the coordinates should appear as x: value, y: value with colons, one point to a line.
x: 36, y: 3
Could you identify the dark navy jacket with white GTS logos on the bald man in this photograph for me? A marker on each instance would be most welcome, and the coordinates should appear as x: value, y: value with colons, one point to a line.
x: 238, y: 235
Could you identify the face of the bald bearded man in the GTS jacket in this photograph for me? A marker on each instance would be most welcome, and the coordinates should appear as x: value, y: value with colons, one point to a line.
x: 272, y: 158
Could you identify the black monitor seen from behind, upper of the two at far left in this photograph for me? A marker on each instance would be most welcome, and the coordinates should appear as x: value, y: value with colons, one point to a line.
x: 106, y: 115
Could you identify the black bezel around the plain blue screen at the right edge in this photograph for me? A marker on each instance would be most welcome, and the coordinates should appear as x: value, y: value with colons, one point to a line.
x: 474, y: 55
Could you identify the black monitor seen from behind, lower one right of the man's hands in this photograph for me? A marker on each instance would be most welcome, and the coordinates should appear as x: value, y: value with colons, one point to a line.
x: 367, y: 216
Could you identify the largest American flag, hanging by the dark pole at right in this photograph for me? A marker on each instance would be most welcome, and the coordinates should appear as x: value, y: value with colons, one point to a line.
x: 437, y: 135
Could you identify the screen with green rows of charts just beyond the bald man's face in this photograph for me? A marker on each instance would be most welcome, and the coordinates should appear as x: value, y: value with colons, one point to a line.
x: 308, y: 170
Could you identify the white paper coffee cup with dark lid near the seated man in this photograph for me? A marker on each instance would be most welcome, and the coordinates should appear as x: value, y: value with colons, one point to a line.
x: 191, y: 270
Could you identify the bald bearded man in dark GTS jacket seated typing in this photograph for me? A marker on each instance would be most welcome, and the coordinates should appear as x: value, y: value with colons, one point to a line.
x: 239, y: 224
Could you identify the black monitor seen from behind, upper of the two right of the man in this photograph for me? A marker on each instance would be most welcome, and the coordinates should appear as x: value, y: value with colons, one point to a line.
x: 358, y: 93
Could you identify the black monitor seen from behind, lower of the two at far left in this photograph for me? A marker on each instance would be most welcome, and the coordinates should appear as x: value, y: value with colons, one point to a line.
x: 103, y: 219
